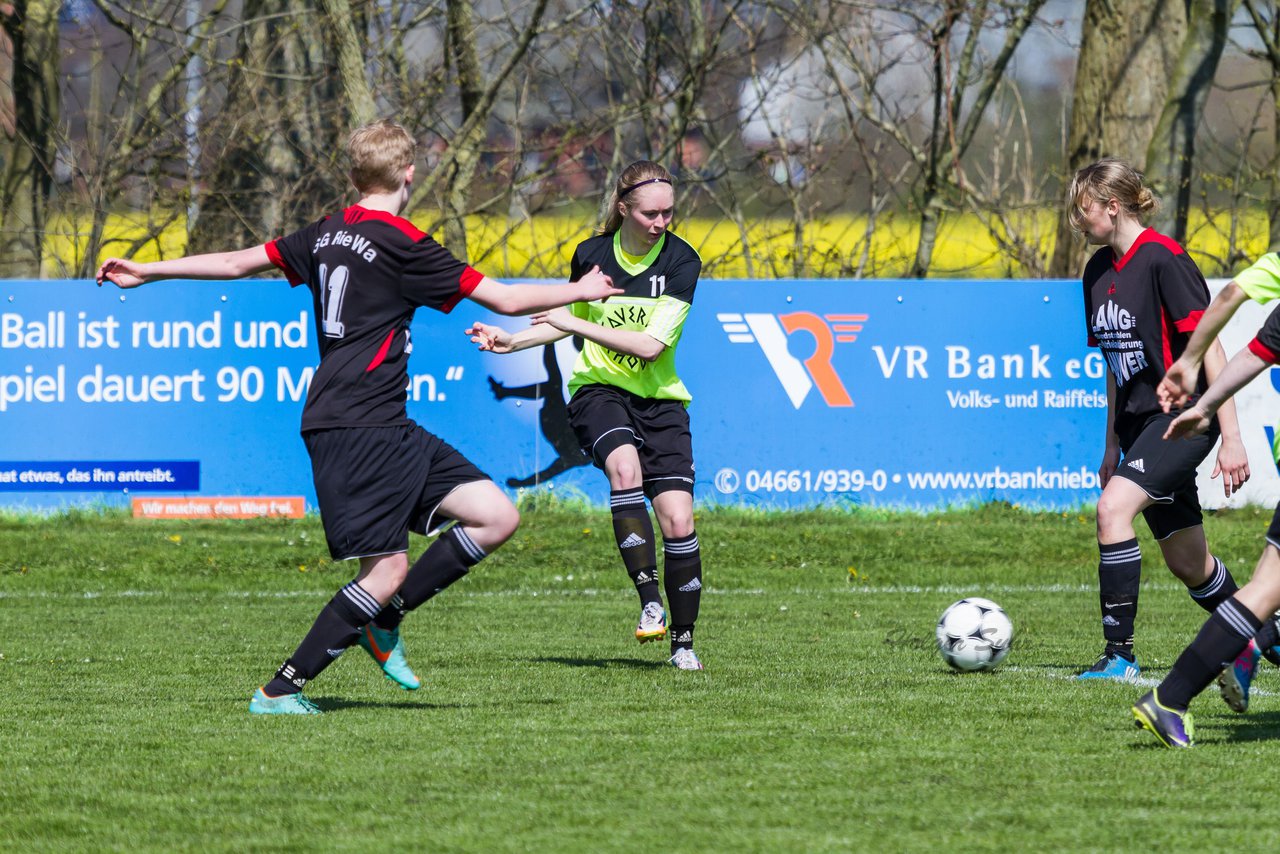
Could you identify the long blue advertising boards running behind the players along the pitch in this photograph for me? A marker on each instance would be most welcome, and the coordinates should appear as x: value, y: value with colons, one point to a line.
x: 806, y: 394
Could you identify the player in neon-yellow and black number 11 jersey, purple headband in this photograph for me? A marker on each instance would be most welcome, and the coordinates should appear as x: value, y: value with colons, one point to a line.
x: 628, y: 405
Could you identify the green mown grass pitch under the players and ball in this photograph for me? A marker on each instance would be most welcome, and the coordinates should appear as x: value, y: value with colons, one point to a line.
x: 825, y: 720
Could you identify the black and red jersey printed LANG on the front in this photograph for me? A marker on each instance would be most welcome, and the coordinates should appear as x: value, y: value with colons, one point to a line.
x: 1141, y: 312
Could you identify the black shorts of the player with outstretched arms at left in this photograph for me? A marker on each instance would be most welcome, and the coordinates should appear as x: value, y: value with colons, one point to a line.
x: 376, y: 485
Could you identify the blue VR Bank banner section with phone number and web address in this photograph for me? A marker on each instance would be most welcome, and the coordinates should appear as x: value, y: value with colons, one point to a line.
x: 907, y: 394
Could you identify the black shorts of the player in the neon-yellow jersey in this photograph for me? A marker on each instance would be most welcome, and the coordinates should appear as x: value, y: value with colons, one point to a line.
x: 606, y: 418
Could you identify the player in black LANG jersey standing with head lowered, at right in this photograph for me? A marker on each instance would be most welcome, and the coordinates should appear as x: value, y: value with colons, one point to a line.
x: 1144, y: 298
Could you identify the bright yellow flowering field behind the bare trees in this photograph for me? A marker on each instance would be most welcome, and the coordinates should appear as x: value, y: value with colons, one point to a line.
x: 840, y: 246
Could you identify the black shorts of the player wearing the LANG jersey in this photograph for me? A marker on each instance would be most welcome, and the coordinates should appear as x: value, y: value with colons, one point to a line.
x: 1167, y: 472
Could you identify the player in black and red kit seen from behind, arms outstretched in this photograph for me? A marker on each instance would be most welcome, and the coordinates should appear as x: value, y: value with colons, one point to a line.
x: 377, y: 474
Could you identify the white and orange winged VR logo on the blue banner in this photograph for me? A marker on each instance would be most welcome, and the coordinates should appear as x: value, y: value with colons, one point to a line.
x: 799, y: 377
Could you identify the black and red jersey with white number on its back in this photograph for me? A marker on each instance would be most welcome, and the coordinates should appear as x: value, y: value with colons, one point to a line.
x: 368, y: 272
